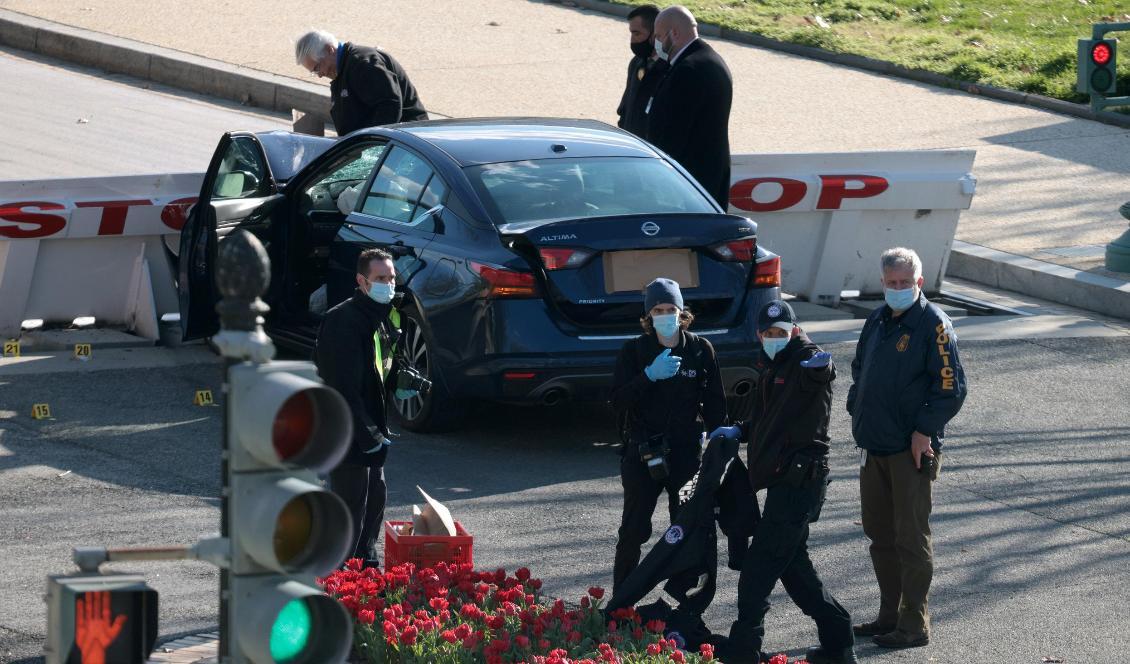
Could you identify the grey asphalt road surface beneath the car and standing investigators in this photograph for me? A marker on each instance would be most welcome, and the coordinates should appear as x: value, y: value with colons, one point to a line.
x: 1032, y: 521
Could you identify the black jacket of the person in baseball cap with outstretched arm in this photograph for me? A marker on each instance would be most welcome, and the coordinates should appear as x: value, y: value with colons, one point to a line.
x: 792, y: 413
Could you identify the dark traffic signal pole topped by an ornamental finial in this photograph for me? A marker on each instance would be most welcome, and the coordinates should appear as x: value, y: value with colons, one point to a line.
x: 244, y: 273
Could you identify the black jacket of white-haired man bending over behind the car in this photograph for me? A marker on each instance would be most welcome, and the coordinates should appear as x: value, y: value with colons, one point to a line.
x: 371, y: 89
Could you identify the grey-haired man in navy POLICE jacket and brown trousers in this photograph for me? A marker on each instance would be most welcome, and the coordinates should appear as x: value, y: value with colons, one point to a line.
x: 907, y: 385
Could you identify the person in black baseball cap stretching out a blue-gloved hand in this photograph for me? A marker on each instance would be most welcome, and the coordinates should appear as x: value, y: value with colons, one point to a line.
x: 788, y: 456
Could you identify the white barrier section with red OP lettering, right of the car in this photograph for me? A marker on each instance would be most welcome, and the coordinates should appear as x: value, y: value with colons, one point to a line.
x: 830, y: 216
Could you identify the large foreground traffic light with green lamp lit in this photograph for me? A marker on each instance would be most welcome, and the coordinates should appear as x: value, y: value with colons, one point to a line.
x: 284, y: 429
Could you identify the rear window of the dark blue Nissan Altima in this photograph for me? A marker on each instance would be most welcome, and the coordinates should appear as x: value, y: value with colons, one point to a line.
x: 570, y: 189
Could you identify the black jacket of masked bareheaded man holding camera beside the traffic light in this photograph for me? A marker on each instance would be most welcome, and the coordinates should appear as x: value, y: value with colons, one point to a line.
x: 345, y: 357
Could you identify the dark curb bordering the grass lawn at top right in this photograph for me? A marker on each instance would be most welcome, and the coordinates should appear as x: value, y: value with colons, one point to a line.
x: 877, y: 66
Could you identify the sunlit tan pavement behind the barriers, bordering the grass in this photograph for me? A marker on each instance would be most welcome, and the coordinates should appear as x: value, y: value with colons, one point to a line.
x: 1050, y: 186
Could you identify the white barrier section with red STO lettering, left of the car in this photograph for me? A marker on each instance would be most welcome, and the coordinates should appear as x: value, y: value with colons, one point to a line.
x: 92, y: 247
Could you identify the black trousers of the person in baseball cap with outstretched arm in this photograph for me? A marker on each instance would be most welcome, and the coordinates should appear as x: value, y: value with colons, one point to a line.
x: 779, y: 551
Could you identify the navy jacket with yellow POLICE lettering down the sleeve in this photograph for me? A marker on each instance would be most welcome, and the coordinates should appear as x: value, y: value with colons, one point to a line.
x: 907, y: 378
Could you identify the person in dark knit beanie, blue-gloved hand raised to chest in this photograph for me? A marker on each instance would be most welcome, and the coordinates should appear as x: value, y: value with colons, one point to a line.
x: 665, y: 381
